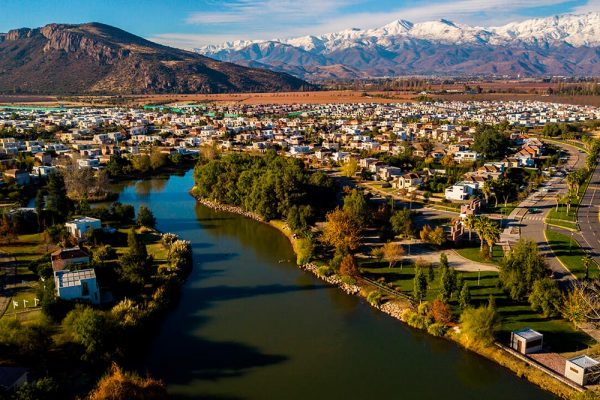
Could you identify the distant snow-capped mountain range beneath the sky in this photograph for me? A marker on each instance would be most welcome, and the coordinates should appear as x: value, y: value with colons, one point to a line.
x: 566, y: 45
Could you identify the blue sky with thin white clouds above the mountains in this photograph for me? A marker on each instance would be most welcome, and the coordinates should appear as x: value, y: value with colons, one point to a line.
x: 189, y: 23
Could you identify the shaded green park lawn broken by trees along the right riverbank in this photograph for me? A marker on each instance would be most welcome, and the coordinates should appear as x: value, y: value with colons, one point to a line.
x: 560, y: 335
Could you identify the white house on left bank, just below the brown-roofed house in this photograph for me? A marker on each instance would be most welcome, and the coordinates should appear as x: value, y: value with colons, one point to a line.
x: 77, y: 285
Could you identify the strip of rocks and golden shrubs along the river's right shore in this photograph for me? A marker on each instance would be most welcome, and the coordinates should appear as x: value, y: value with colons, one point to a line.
x: 402, y: 309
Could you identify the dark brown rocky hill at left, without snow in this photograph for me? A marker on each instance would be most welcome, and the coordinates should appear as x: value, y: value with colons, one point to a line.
x: 98, y: 58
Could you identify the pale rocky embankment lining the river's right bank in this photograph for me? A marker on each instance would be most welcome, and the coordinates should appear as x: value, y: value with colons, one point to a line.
x: 395, y: 307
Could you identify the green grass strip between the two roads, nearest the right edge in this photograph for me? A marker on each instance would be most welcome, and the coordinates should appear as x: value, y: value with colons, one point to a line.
x: 570, y: 253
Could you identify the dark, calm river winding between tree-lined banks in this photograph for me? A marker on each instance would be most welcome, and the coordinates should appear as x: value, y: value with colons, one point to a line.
x: 251, y: 326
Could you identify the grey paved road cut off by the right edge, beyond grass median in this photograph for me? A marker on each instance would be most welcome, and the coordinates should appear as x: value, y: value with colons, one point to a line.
x: 587, y: 216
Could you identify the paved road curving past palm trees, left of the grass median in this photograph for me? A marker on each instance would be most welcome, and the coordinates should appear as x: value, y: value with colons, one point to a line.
x: 531, y: 226
